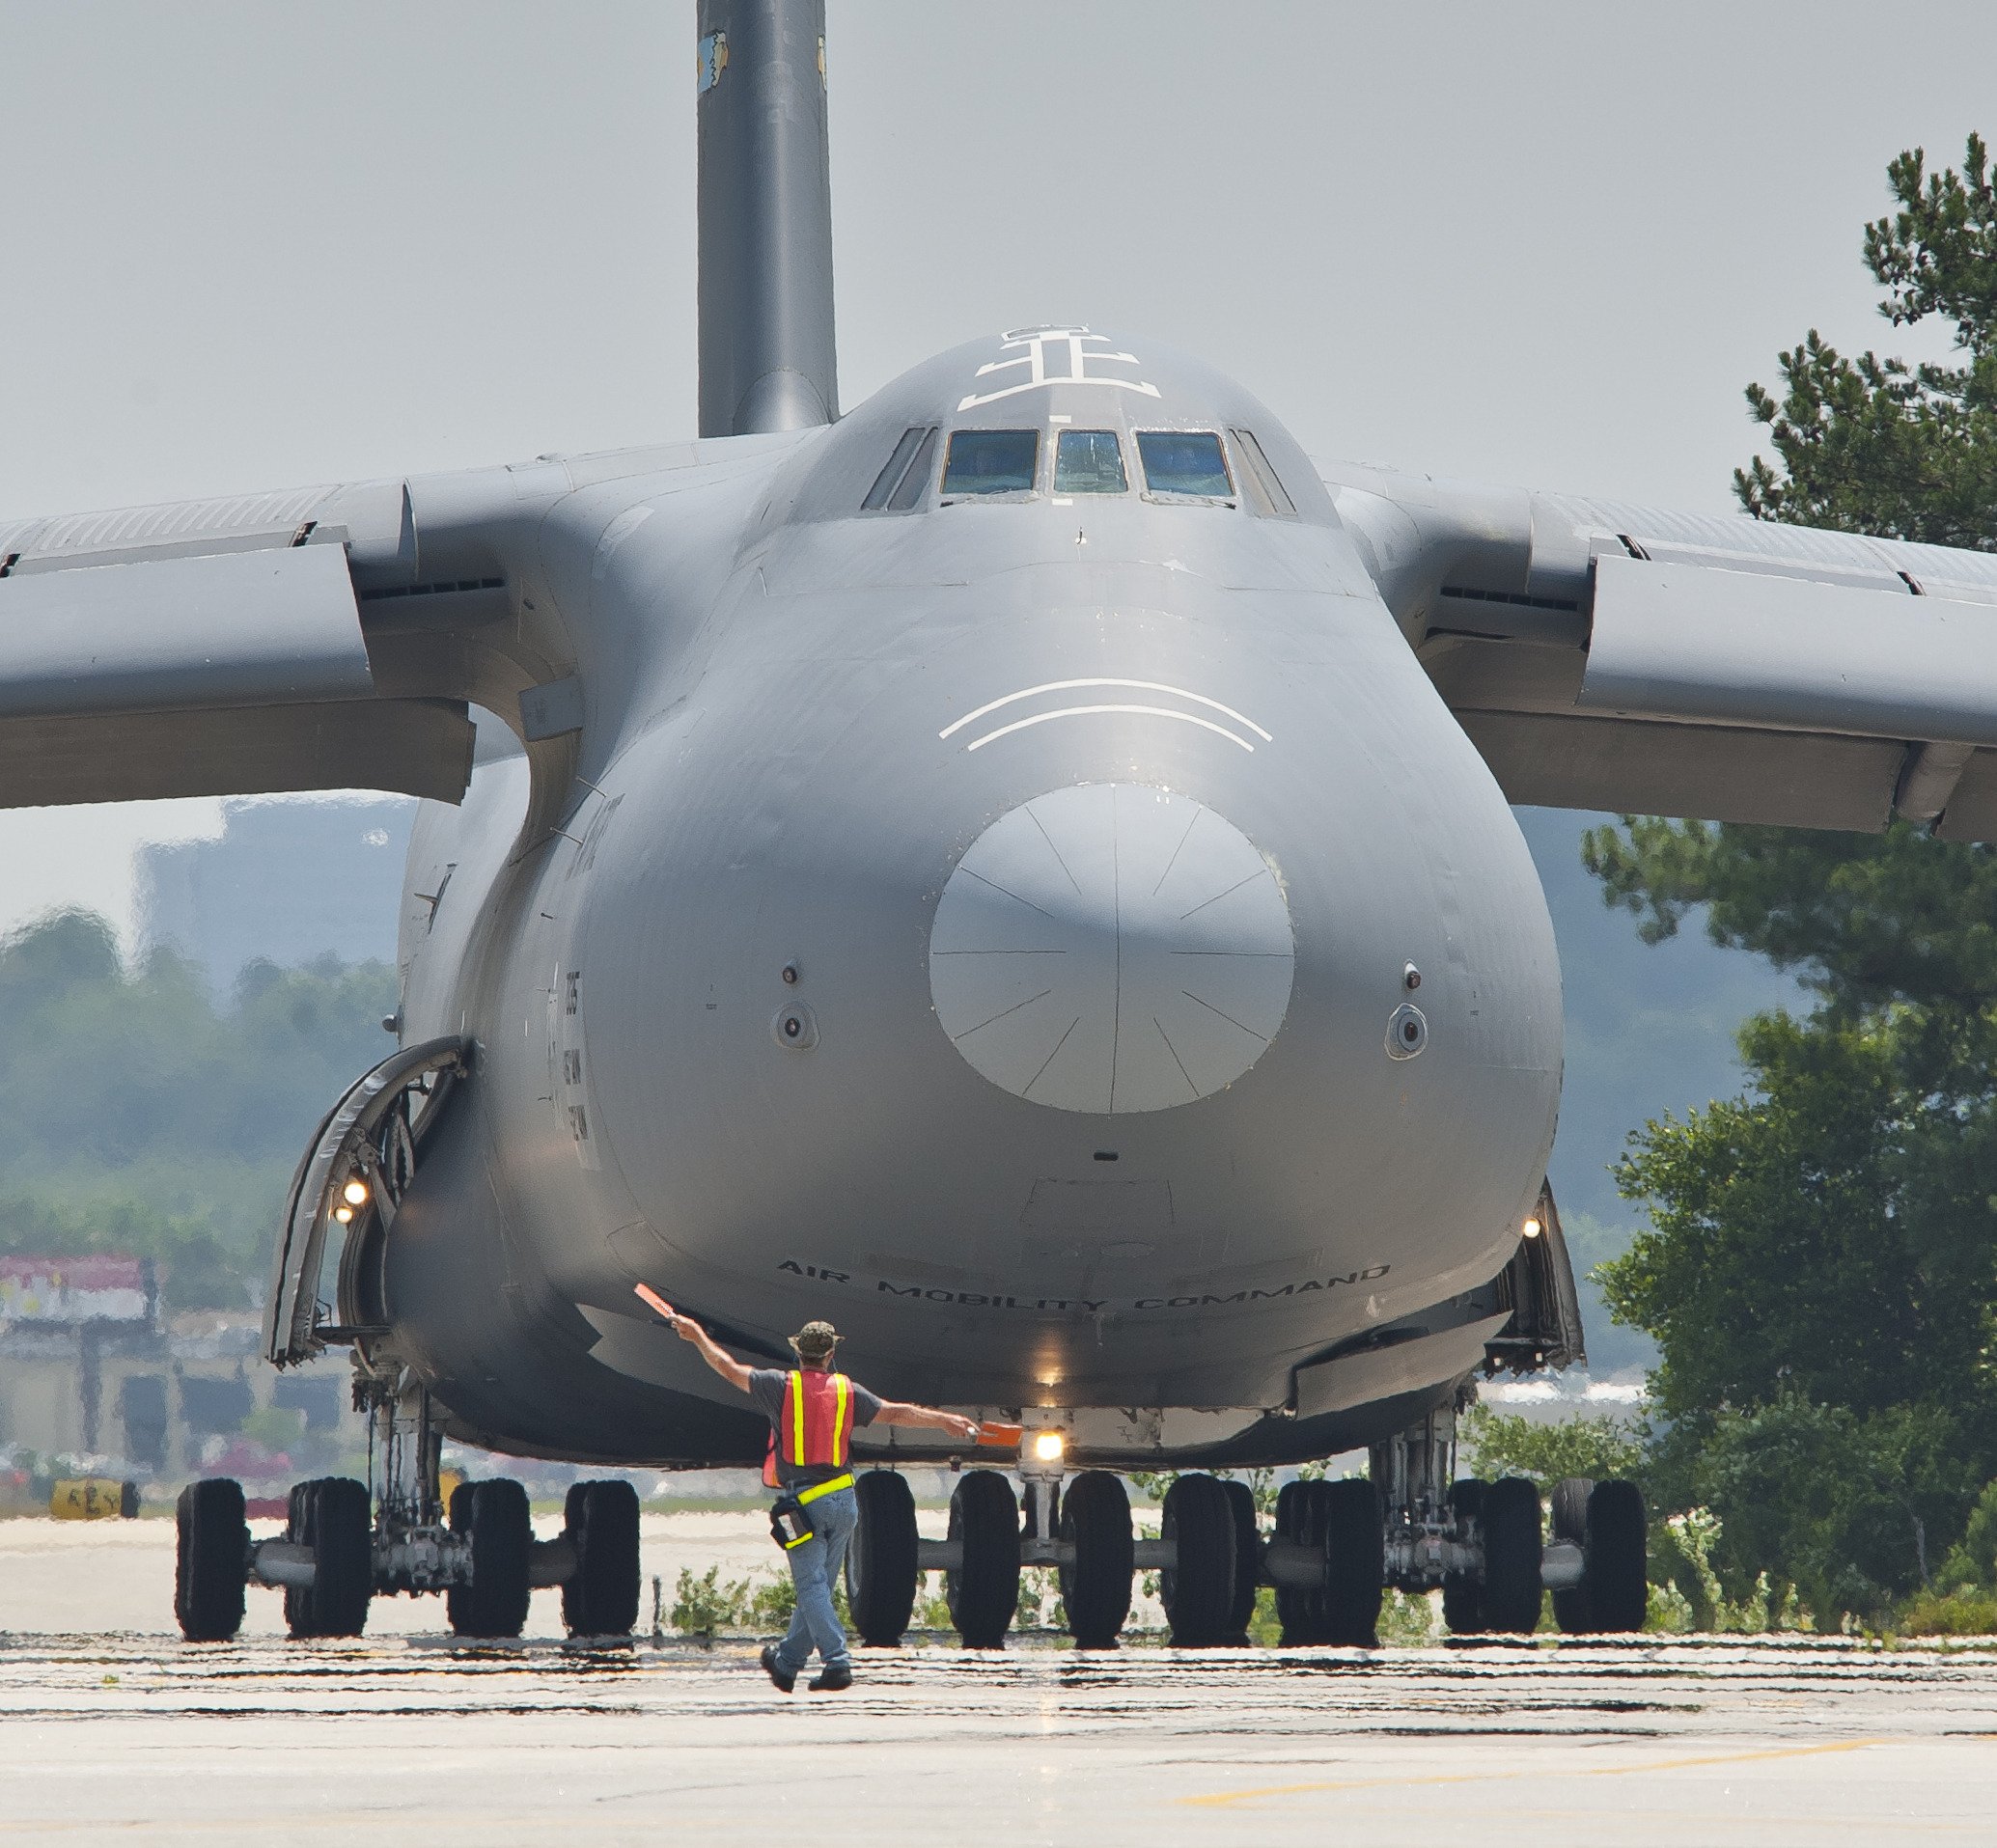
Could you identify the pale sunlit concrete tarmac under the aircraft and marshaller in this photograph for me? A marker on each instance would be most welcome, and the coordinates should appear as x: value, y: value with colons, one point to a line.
x: 398, y: 1737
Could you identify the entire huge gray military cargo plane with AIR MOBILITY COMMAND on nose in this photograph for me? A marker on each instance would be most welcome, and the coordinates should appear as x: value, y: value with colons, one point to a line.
x: 1021, y: 869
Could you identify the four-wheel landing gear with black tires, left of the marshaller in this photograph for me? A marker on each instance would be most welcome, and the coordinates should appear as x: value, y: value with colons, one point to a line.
x: 344, y: 1544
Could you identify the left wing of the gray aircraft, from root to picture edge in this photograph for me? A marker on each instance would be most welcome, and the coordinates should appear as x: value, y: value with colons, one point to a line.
x: 325, y: 638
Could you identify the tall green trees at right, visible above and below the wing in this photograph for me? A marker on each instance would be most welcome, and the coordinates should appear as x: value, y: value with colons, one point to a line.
x: 1820, y: 1268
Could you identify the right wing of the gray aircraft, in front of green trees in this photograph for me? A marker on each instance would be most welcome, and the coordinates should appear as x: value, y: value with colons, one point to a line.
x: 1664, y: 664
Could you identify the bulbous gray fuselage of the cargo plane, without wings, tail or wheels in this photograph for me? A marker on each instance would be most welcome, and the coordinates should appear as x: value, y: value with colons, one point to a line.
x: 802, y: 721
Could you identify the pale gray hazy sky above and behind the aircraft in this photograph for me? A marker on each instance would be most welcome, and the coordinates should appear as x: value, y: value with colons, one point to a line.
x: 269, y: 244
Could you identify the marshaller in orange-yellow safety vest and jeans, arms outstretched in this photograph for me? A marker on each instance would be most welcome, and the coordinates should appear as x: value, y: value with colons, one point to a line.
x: 812, y: 1412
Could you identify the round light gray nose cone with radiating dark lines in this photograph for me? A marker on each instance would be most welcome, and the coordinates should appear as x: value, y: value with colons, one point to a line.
x: 1111, y: 949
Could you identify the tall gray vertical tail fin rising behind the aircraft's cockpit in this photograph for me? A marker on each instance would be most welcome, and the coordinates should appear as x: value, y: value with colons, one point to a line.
x: 766, y: 219
